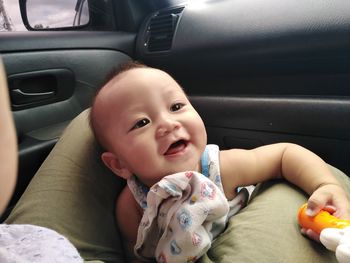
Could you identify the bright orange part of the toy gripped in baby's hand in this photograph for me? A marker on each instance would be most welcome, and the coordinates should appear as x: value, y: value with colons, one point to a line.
x: 320, y: 221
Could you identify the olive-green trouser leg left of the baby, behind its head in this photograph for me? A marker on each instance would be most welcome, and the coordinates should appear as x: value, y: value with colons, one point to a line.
x: 74, y: 194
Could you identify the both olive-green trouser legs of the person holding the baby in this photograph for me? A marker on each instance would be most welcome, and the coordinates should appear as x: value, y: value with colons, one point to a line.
x: 74, y: 194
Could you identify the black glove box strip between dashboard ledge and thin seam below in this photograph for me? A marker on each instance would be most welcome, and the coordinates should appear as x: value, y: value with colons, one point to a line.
x: 307, y: 116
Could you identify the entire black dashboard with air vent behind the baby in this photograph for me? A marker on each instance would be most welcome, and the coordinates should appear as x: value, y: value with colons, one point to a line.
x: 270, y: 75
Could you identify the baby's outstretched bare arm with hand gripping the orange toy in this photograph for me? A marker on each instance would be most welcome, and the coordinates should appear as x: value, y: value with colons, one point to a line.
x: 292, y: 162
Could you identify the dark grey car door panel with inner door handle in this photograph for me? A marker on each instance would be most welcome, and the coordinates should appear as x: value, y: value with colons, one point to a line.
x: 51, y: 83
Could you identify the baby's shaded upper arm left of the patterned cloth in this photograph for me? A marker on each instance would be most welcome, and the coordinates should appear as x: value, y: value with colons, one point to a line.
x: 128, y: 214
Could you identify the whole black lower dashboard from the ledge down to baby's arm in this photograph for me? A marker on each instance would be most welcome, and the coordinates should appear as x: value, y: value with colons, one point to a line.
x: 248, y: 122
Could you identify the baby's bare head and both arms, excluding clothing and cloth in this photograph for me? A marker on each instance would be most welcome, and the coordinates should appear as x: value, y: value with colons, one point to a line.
x: 149, y: 129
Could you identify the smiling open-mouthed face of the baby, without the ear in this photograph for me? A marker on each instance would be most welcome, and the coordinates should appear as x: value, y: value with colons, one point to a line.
x: 154, y: 129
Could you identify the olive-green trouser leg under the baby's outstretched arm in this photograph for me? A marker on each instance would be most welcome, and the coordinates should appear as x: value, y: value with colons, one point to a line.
x: 267, y: 229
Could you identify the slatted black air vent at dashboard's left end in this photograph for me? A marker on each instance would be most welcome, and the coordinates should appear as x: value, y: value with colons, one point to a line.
x: 161, y: 29
